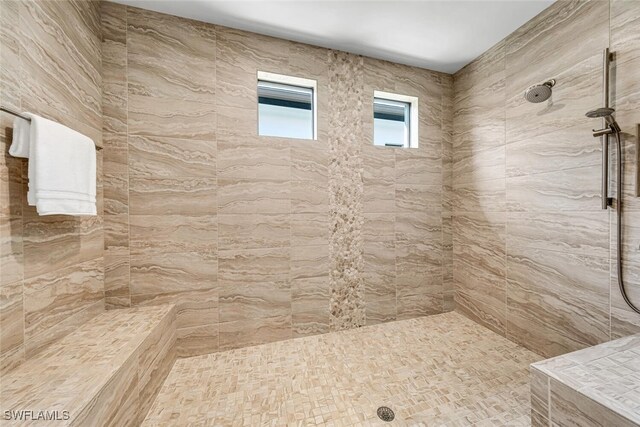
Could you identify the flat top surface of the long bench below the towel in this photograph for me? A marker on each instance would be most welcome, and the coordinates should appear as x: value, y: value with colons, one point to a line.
x: 73, y: 372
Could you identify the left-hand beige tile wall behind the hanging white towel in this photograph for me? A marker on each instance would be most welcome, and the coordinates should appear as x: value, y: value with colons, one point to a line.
x: 51, y: 268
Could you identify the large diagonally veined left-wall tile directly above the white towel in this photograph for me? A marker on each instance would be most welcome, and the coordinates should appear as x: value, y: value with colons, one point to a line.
x: 60, y: 59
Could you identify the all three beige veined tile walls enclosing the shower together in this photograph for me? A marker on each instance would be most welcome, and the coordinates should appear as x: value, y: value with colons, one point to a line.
x: 245, y: 233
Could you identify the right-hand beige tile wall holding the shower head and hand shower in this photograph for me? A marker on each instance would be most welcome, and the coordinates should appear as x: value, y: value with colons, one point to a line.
x: 532, y: 251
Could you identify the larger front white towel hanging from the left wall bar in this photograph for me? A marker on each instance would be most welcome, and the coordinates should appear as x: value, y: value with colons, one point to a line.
x: 62, y: 170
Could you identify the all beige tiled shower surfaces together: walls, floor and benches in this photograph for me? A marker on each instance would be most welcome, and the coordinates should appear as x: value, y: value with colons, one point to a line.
x: 257, y: 251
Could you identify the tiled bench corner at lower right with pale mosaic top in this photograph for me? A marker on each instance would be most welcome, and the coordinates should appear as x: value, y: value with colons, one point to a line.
x: 596, y: 386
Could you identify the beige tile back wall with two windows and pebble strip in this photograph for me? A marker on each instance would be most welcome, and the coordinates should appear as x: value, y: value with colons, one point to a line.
x: 260, y: 238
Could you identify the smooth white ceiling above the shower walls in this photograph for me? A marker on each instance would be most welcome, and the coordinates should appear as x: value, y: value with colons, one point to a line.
x: 441, y: 35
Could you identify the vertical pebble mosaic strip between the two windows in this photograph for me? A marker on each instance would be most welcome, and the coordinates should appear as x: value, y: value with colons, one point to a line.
x: 347, y: 307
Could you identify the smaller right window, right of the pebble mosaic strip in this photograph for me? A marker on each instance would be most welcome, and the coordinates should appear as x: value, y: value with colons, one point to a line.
x: 395, y: 120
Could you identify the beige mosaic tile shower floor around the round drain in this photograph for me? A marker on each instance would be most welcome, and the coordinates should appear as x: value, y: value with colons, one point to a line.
x: 442, y: 370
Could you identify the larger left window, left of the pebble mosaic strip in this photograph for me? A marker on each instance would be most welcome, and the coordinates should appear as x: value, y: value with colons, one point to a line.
x: 286, y: 106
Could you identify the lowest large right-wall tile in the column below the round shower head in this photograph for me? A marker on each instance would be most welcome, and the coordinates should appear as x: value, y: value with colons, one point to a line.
x: 571, y: 298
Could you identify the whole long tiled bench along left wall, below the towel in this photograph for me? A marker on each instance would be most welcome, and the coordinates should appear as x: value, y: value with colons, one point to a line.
x: 107, y: 372
